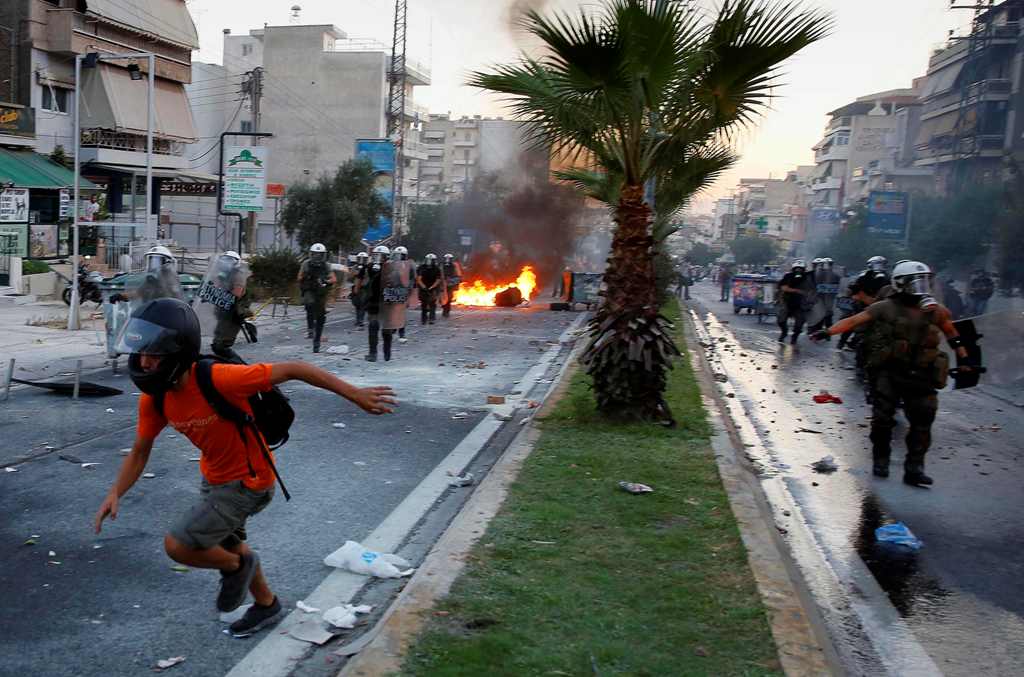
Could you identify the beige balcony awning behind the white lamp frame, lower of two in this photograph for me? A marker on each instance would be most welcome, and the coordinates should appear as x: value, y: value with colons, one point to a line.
x: 113, y: 101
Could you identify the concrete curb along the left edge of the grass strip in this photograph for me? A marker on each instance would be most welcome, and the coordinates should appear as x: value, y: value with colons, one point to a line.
x: 404, y: 620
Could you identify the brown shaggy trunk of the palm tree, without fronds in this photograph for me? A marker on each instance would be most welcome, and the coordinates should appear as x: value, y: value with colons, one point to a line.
x: 631, y: 350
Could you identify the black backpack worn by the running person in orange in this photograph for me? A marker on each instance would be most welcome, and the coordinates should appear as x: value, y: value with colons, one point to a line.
x: 272, y: 416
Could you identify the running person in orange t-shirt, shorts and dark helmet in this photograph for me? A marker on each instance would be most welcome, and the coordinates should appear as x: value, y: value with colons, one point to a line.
x: 163, y: 341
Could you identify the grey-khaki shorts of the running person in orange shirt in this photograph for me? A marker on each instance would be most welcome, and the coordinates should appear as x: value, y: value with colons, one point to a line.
x: 220, y: 517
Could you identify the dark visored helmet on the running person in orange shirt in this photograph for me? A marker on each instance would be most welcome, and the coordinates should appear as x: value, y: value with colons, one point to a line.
x: 165, y: 335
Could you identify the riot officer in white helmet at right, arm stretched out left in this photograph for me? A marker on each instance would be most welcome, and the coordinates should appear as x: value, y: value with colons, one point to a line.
x: 906, y: 365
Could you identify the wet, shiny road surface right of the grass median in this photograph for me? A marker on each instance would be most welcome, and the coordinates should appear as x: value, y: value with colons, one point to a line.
x: 959, y: 602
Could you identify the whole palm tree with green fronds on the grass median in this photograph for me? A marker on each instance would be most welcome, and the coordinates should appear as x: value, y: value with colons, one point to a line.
x: 647, y: 93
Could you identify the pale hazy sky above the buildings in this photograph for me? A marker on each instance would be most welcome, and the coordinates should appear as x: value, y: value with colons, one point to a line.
x: 876, y: 46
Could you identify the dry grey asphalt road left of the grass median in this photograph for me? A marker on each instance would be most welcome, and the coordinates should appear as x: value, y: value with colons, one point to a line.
x: 78, y: 604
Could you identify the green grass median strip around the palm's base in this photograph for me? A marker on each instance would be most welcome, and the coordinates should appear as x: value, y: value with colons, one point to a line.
x: 577, y: 577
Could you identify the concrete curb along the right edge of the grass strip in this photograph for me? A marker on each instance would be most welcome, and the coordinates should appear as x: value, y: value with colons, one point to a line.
x: 799, y: 631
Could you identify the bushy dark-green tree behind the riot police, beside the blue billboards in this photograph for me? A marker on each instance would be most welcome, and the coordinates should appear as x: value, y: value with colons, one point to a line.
x: 335, y: 211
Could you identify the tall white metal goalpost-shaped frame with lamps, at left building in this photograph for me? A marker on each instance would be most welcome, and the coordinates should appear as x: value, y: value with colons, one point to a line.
x: 91, y: 61
